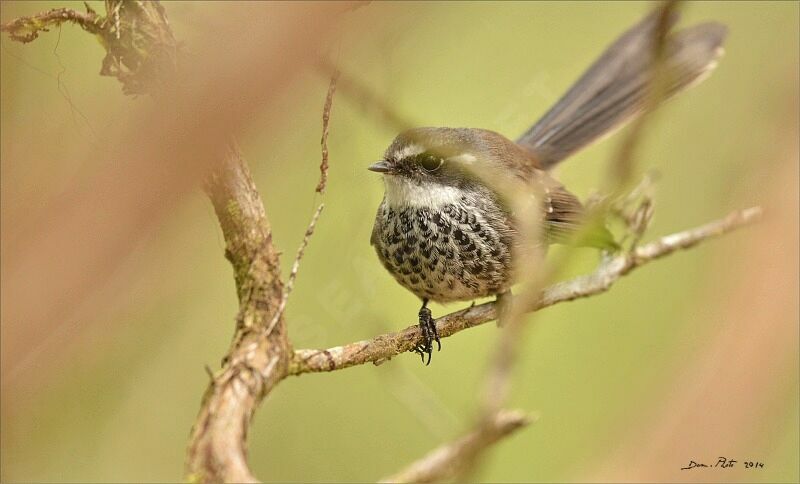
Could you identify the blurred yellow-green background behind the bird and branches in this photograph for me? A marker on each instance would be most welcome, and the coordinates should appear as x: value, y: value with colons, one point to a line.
x: 111, y: 396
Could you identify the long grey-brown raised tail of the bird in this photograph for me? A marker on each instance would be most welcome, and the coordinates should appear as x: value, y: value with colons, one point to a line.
x: 615, y: 88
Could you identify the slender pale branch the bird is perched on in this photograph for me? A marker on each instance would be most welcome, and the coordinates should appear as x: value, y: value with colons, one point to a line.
x: 387, y: 345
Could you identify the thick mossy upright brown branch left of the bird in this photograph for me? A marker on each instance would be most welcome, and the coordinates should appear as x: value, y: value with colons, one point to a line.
x: 258, y: 357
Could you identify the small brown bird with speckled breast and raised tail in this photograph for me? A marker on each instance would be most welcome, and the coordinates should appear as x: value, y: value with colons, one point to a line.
x: 447, y: 234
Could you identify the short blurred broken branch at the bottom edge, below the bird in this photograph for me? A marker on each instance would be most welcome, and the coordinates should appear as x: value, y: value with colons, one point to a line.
x: 445, y: 462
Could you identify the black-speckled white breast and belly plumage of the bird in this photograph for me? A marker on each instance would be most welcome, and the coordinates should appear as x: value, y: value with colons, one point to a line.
x: 455, y: 252
